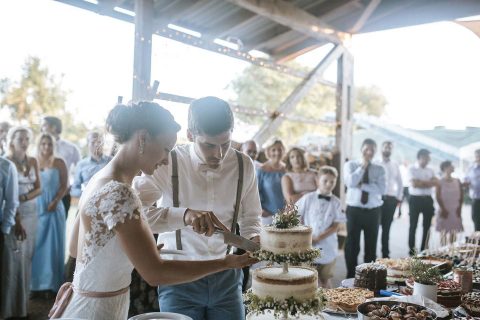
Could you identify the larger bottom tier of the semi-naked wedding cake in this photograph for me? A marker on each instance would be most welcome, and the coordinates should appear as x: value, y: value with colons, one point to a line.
x: 299, y: 283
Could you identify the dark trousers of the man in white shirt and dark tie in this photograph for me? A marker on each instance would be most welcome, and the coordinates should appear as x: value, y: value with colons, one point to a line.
x: 359, y: 219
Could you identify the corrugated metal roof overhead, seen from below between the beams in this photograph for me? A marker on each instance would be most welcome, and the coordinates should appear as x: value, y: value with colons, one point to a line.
x: 229, y: 21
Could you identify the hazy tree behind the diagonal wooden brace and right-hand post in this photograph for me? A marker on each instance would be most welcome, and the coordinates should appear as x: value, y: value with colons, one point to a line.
x: 265, y: 89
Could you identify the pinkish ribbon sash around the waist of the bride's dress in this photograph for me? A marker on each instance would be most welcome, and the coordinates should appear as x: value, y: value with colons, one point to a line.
x: 65, y: 294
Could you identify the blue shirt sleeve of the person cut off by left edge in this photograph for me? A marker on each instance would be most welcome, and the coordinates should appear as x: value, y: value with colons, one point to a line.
x: 11, y: 200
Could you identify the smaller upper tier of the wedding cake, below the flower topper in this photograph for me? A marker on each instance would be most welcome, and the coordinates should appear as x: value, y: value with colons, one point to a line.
x: 296, y: 239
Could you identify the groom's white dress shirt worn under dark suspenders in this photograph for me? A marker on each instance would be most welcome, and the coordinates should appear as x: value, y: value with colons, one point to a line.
x: 200, y: 188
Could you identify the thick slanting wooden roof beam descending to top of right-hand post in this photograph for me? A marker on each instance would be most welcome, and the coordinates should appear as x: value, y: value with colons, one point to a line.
x: 297, y: 19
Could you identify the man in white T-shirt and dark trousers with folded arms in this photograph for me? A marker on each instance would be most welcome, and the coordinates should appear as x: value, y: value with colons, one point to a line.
x: 422, y: 180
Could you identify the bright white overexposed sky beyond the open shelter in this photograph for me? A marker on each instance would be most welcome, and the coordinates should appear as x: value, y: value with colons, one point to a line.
x: 428, y: 73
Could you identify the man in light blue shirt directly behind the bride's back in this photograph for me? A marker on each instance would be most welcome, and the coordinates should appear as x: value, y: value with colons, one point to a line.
x: 90, y: 165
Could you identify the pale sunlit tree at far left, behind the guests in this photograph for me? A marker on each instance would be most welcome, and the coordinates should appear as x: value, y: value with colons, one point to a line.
x: 36, y: 94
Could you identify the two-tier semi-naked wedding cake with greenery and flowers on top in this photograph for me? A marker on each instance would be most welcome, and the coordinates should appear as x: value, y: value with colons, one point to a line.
x: 285, y: 289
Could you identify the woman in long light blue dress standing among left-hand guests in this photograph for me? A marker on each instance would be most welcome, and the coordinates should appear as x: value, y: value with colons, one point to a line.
x: 49, y: 254
